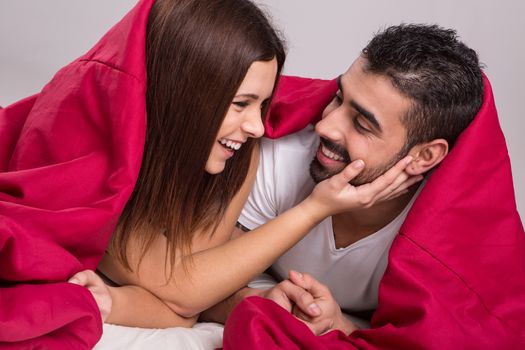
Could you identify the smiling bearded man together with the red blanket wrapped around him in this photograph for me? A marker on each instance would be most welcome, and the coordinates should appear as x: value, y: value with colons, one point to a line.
x: 437, y: 279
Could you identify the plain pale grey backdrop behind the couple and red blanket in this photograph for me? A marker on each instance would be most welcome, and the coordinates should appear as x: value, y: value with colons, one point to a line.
x: 324, y: 37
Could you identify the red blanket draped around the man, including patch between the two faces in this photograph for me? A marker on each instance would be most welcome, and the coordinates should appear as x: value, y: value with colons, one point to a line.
x: 456, y: 272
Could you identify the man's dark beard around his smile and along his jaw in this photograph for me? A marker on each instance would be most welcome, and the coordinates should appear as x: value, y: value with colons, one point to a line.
x: 319, y: 173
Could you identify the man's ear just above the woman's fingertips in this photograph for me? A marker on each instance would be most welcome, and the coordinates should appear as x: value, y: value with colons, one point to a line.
x: 426, y: 156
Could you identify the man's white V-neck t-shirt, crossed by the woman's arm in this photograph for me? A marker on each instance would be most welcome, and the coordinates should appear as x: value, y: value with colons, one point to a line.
x: 283, y: 180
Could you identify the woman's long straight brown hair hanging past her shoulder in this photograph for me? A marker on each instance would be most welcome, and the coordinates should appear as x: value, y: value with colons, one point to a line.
x: 198, y: 53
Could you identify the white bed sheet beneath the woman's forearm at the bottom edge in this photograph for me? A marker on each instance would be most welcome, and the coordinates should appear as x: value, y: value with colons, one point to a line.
x: 203, y: 336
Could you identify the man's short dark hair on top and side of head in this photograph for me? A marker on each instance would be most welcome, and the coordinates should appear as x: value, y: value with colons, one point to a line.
x: 440, y: 74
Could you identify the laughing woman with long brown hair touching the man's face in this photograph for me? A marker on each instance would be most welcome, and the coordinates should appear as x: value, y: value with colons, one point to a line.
x: 212, y: 67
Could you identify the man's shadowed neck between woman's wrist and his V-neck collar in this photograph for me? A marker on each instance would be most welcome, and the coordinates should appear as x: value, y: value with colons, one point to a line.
x: 350, y: 227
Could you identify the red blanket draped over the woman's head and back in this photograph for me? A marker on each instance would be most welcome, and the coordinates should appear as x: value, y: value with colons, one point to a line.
x: 69, y: 159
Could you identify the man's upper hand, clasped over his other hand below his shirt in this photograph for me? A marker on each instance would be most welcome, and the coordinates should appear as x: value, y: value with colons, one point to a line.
x: 330, y: 316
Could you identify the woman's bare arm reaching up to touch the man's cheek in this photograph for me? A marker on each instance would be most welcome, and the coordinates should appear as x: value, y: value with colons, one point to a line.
x: 215, y: 271
